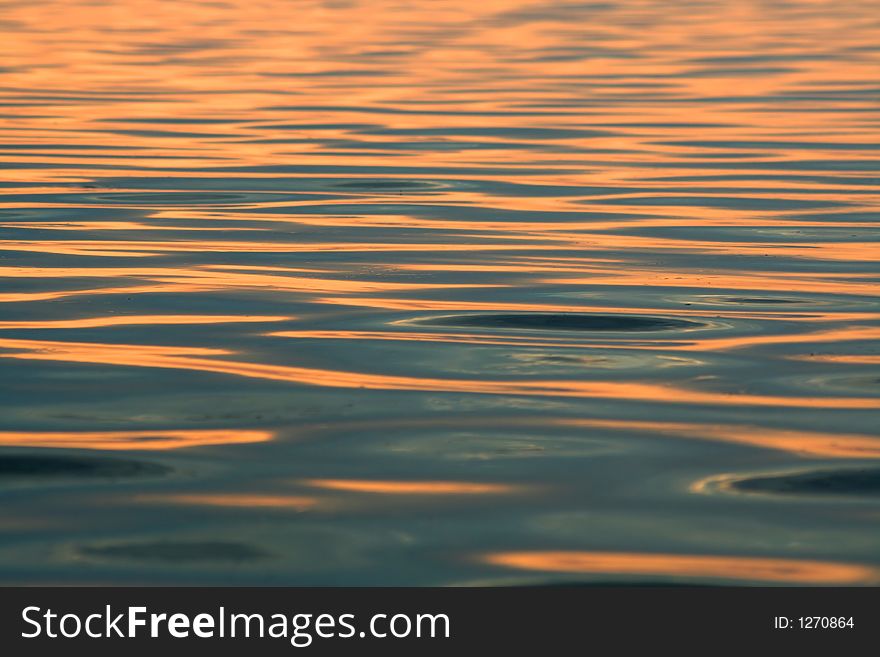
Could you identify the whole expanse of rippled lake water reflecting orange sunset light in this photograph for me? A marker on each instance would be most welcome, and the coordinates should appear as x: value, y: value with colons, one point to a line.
x: 439, y: 293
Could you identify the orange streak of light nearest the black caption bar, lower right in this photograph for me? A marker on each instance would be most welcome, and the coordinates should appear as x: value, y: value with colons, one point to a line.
x: 791, y: 571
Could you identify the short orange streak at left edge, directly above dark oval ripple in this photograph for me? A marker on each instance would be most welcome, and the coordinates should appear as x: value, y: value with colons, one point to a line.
x: 160, y: 439
